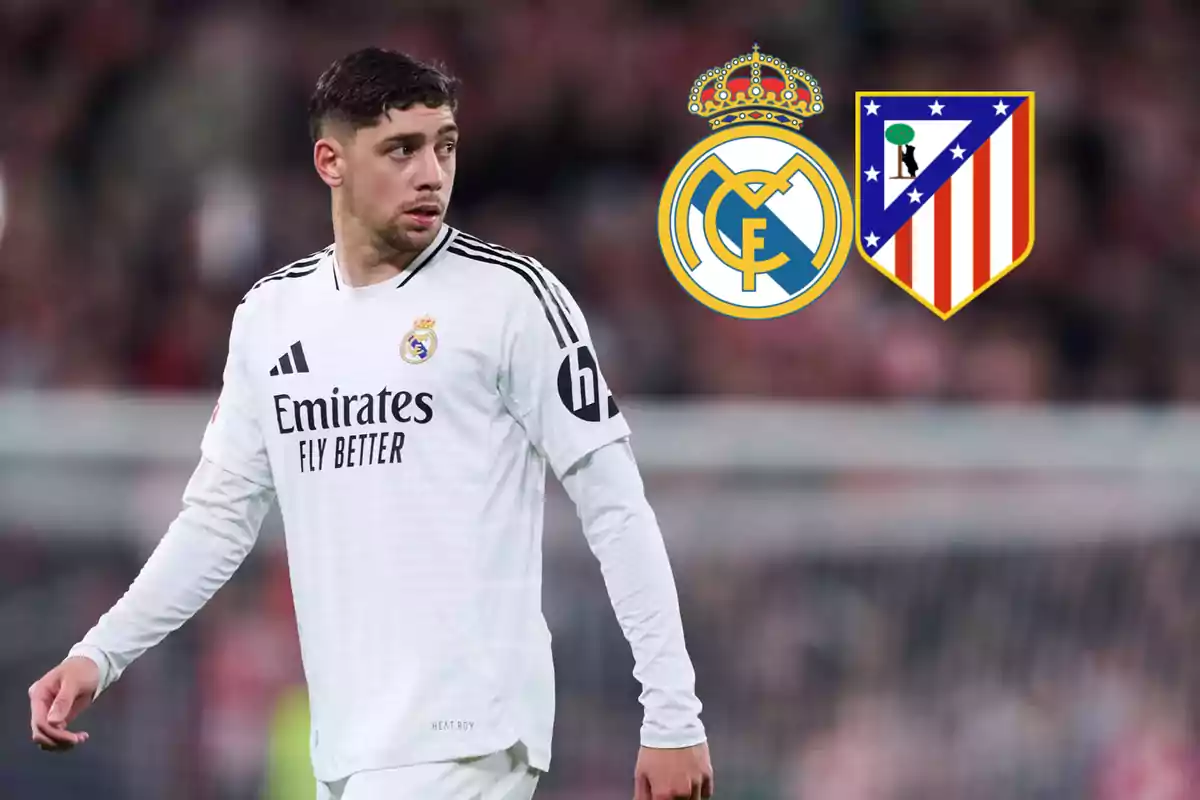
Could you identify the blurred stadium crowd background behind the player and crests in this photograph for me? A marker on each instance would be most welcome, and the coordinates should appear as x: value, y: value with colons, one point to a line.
x: 917, y: 560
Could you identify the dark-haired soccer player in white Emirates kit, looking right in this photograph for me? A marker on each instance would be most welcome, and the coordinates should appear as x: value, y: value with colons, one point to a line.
x: 401, y: 394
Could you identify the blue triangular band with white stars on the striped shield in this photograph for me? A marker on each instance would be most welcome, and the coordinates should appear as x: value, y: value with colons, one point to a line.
x: 980, y: 113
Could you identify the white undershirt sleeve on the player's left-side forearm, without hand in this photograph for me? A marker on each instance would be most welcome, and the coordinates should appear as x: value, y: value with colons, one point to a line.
x: 203, y: 548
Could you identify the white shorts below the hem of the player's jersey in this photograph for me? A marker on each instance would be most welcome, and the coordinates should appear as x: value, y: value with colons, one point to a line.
x: 500, y: 777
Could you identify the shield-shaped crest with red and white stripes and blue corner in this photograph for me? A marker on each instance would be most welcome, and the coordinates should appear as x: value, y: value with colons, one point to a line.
x: 944, y: 190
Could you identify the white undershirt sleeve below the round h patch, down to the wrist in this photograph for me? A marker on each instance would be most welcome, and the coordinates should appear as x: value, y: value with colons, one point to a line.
x: 623, y: 533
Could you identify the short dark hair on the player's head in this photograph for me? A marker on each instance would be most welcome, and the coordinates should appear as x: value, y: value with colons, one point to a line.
x: 364, y: 86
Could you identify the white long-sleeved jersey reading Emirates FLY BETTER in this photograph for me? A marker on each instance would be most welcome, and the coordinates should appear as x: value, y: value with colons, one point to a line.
x: 406, y: 428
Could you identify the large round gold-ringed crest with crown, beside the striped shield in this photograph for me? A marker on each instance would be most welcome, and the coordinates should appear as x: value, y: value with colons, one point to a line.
x: 755, y: 221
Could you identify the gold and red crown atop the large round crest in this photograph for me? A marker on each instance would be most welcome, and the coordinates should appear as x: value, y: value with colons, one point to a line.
x: 755, y: 88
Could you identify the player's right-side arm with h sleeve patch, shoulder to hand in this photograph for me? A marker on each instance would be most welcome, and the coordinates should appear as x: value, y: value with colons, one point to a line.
x: 551, y: 382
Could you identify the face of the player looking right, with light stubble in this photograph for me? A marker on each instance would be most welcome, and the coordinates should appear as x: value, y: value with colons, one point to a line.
x: 399, y: 176
